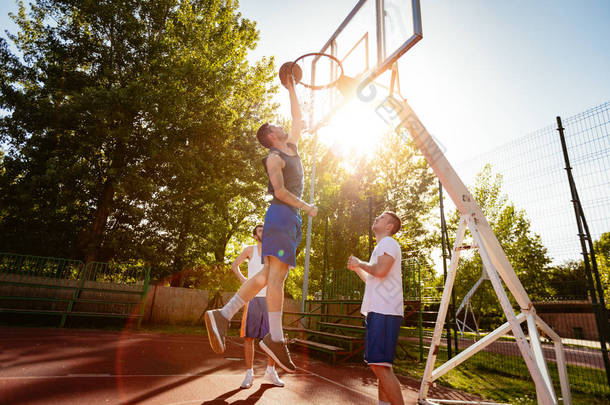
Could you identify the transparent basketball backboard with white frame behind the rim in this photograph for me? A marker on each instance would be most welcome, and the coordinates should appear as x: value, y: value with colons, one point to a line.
x: 373, y: 36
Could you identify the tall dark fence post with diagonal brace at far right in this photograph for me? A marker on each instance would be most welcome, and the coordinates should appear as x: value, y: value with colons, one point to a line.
x: 588, y: 253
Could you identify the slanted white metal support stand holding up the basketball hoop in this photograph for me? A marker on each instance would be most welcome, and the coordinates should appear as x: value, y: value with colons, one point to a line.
x: 498, y: 269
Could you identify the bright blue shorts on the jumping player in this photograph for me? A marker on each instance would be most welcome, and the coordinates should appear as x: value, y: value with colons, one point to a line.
x: 281, y: 233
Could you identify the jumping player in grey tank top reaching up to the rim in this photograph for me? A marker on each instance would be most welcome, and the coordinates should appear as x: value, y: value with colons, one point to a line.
x: 281, y: 235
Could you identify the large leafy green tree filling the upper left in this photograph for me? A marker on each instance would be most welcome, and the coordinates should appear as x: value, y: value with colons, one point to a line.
x: 130, y: 130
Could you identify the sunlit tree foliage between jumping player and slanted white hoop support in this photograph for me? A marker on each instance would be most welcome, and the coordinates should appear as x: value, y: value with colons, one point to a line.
x: 351, y: 192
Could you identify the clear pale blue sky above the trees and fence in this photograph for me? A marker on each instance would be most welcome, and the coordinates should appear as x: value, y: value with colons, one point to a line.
x: 485, y: 72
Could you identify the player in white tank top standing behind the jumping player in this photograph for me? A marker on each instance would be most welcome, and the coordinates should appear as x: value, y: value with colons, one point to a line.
x: 255, y: 322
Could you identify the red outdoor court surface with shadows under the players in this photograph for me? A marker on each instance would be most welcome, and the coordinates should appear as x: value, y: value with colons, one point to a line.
x: 54, y: 366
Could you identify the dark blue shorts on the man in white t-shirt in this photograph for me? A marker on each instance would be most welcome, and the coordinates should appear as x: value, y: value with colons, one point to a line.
x: 381, y: 338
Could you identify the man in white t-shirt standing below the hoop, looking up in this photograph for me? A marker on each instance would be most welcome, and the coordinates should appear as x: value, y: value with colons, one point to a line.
x: 382, y: 305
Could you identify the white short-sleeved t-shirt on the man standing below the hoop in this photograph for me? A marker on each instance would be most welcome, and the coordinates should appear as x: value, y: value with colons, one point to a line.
x: 384, y: 295
